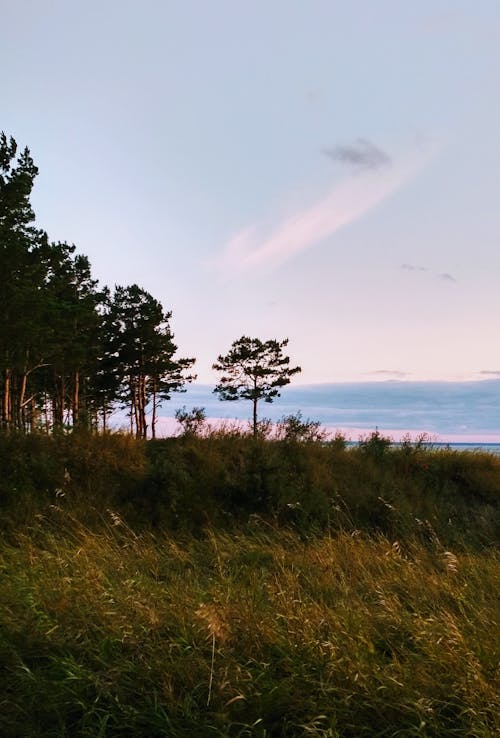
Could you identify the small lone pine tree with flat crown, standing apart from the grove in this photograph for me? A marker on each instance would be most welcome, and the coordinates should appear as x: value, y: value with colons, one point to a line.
x: 254, y: 370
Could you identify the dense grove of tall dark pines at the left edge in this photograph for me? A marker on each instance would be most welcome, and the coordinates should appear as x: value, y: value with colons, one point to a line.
x: 70, y: 349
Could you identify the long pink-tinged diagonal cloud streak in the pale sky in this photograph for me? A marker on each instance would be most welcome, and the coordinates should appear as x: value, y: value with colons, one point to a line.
x: 344, y: 204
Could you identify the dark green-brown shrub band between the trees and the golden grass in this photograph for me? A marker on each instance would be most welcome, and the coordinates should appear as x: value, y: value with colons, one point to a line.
x: 225, y: 477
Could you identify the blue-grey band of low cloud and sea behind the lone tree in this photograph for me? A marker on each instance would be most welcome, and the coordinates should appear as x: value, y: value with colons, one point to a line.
x: 464, y: 414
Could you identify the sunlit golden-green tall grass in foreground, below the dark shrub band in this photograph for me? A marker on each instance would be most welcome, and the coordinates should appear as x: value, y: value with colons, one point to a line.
x: 112, y: 633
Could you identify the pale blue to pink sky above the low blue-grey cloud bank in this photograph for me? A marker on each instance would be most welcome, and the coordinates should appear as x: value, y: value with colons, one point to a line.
x: 323, y: 171
